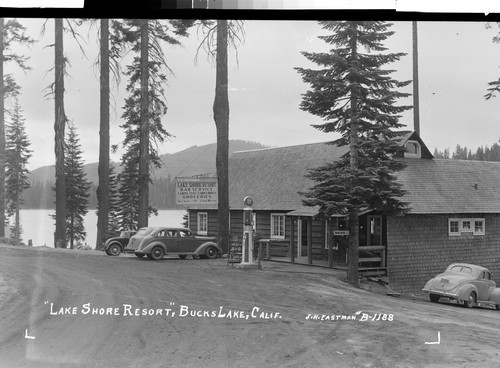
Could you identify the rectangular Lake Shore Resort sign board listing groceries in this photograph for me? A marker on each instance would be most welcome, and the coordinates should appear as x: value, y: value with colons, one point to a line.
x: 192, y: 191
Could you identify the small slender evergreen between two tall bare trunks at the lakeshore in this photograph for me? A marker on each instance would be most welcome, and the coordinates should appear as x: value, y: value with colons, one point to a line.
x: 77, y: 190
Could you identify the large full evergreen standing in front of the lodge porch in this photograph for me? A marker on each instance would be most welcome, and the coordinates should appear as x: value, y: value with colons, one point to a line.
x: 356, y: 97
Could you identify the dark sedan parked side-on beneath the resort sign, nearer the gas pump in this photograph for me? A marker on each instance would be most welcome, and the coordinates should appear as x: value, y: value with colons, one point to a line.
x: 156, y: 242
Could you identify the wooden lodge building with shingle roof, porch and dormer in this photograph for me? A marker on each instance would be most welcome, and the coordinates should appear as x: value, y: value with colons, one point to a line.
x: 454, y: 213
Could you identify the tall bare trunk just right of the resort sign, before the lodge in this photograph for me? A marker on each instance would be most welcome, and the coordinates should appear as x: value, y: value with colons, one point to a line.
x: 221, y: 117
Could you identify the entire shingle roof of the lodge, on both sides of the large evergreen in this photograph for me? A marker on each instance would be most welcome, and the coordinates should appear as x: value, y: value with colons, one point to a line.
x: 274, y: 177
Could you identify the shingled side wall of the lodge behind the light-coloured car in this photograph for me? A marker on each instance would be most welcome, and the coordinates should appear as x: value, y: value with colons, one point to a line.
x: 419, y: 248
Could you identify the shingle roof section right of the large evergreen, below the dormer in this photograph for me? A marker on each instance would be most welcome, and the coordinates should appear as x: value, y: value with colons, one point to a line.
x: 449, y: 186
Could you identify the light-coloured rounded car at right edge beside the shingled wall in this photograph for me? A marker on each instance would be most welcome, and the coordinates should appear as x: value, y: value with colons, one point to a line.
x: 467, y: 284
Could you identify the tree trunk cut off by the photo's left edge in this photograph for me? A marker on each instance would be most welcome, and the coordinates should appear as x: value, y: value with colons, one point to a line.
x: 2, y: 136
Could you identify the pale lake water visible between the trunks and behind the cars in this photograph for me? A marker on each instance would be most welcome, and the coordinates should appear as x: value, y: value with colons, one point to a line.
x: 39, y: 226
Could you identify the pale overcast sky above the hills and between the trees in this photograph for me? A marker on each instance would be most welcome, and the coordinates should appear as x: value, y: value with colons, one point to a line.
x: 456, y: 62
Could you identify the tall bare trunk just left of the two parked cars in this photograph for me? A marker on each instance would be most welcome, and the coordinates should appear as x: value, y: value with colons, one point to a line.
x: 103, y: 168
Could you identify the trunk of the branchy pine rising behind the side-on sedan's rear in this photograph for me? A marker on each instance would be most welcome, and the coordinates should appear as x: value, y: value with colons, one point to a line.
x: 144, y: 131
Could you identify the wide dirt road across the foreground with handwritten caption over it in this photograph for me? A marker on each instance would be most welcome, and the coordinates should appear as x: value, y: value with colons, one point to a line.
x: 62, y: 308
